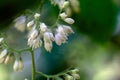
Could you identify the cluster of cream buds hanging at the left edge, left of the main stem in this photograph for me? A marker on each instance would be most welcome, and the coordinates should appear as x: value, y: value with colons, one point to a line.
x: 7, y: 57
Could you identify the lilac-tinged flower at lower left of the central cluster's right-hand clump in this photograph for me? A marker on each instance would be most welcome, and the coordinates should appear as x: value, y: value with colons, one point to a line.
x: 60, y: 38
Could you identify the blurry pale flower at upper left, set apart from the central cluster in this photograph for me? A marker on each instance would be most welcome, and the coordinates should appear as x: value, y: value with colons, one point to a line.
x: 20, y: 23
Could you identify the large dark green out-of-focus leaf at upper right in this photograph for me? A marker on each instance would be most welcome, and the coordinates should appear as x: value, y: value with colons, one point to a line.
x: 97, y: 19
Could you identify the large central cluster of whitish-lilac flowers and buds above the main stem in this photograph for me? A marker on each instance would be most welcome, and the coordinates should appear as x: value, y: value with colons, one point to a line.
x: 39, y: 33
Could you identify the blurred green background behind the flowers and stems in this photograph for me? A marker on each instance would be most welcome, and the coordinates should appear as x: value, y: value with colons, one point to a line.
x: 94, y: 48
